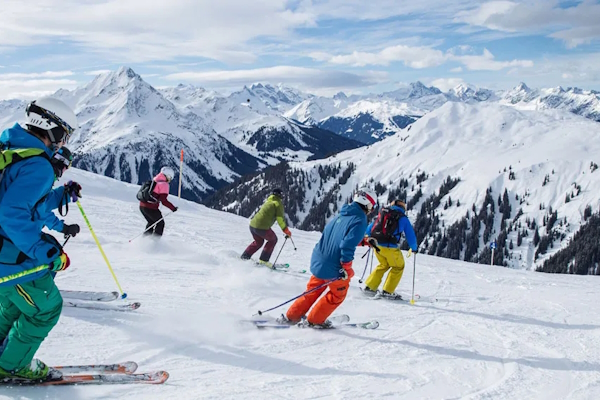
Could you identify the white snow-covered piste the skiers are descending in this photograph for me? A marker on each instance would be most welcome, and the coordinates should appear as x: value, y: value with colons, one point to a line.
x: 493, y: 333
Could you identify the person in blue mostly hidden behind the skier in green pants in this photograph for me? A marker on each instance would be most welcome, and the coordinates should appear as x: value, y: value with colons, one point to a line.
x: 61, y: 161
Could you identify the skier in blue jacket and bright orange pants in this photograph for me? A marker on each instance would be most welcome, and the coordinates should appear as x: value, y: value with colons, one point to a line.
x: 332, y: 260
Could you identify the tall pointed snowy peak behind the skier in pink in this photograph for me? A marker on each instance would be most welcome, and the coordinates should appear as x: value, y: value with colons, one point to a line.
x: 129, y: 130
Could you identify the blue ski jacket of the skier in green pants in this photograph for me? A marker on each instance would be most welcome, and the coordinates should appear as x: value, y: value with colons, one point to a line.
x: 24, y: 206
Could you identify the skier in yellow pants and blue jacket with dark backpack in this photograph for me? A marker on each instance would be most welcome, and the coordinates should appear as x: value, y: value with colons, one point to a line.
x: 387, y: 229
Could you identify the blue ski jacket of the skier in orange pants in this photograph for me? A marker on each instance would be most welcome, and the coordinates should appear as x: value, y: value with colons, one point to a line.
x: 338, y: 242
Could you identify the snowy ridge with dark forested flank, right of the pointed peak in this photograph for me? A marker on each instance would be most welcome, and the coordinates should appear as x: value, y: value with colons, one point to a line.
x: 252, y: 119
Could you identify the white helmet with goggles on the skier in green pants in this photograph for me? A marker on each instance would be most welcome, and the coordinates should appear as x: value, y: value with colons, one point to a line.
x: 52, y: 116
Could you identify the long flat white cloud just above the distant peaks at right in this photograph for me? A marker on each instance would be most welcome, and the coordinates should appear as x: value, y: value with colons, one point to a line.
x: 421, y: 57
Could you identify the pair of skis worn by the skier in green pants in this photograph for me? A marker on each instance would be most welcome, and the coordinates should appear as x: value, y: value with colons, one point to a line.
x: 95, y: 374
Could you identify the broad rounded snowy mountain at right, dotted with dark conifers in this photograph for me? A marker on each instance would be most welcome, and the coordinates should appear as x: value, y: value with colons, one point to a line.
x: 471, y: 173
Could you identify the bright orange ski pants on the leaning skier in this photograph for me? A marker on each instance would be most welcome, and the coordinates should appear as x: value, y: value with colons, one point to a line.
x: 324, y: 307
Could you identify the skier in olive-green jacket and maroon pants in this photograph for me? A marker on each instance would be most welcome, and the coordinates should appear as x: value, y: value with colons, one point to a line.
x: 260, y: 228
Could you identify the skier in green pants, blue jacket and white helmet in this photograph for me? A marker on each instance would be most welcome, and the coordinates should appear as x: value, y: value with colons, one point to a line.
x: 30, y: 305
